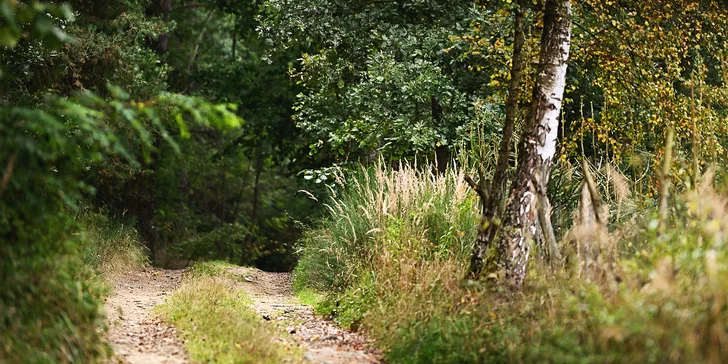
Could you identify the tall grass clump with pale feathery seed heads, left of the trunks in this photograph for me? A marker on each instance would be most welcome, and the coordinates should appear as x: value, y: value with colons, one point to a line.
x: 383, y: 217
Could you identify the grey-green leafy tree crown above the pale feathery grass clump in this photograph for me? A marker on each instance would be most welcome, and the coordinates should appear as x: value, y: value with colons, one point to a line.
x: 379, y: 79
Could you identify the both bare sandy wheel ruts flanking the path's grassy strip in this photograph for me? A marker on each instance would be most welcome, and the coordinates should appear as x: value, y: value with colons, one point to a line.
x: 138, y: 336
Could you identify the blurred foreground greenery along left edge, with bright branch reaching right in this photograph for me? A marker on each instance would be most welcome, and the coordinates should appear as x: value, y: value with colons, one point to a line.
x: 50, y: 298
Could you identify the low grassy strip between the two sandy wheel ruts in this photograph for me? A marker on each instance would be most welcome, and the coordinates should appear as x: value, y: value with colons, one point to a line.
x: 216, y: 321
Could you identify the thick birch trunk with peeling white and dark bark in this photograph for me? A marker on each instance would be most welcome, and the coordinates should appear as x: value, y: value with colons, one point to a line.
x: 539, y: 142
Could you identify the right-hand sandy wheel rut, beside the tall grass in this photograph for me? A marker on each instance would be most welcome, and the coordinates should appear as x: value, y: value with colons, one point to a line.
x: 321, y: 340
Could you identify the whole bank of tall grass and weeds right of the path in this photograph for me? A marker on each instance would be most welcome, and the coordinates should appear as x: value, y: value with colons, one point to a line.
x: 392, y: 254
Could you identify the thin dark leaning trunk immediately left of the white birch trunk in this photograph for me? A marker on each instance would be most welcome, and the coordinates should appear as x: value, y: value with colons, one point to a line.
x: 492, y: 202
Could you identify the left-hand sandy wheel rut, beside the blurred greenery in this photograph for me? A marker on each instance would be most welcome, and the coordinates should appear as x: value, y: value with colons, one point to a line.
x: 136, y: 334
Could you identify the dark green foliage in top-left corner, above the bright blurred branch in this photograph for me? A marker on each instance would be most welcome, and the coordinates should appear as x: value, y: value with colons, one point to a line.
x: 96, y: 51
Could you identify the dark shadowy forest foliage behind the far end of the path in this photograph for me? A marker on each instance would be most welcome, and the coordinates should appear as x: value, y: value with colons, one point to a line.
x: 228, y: 195
